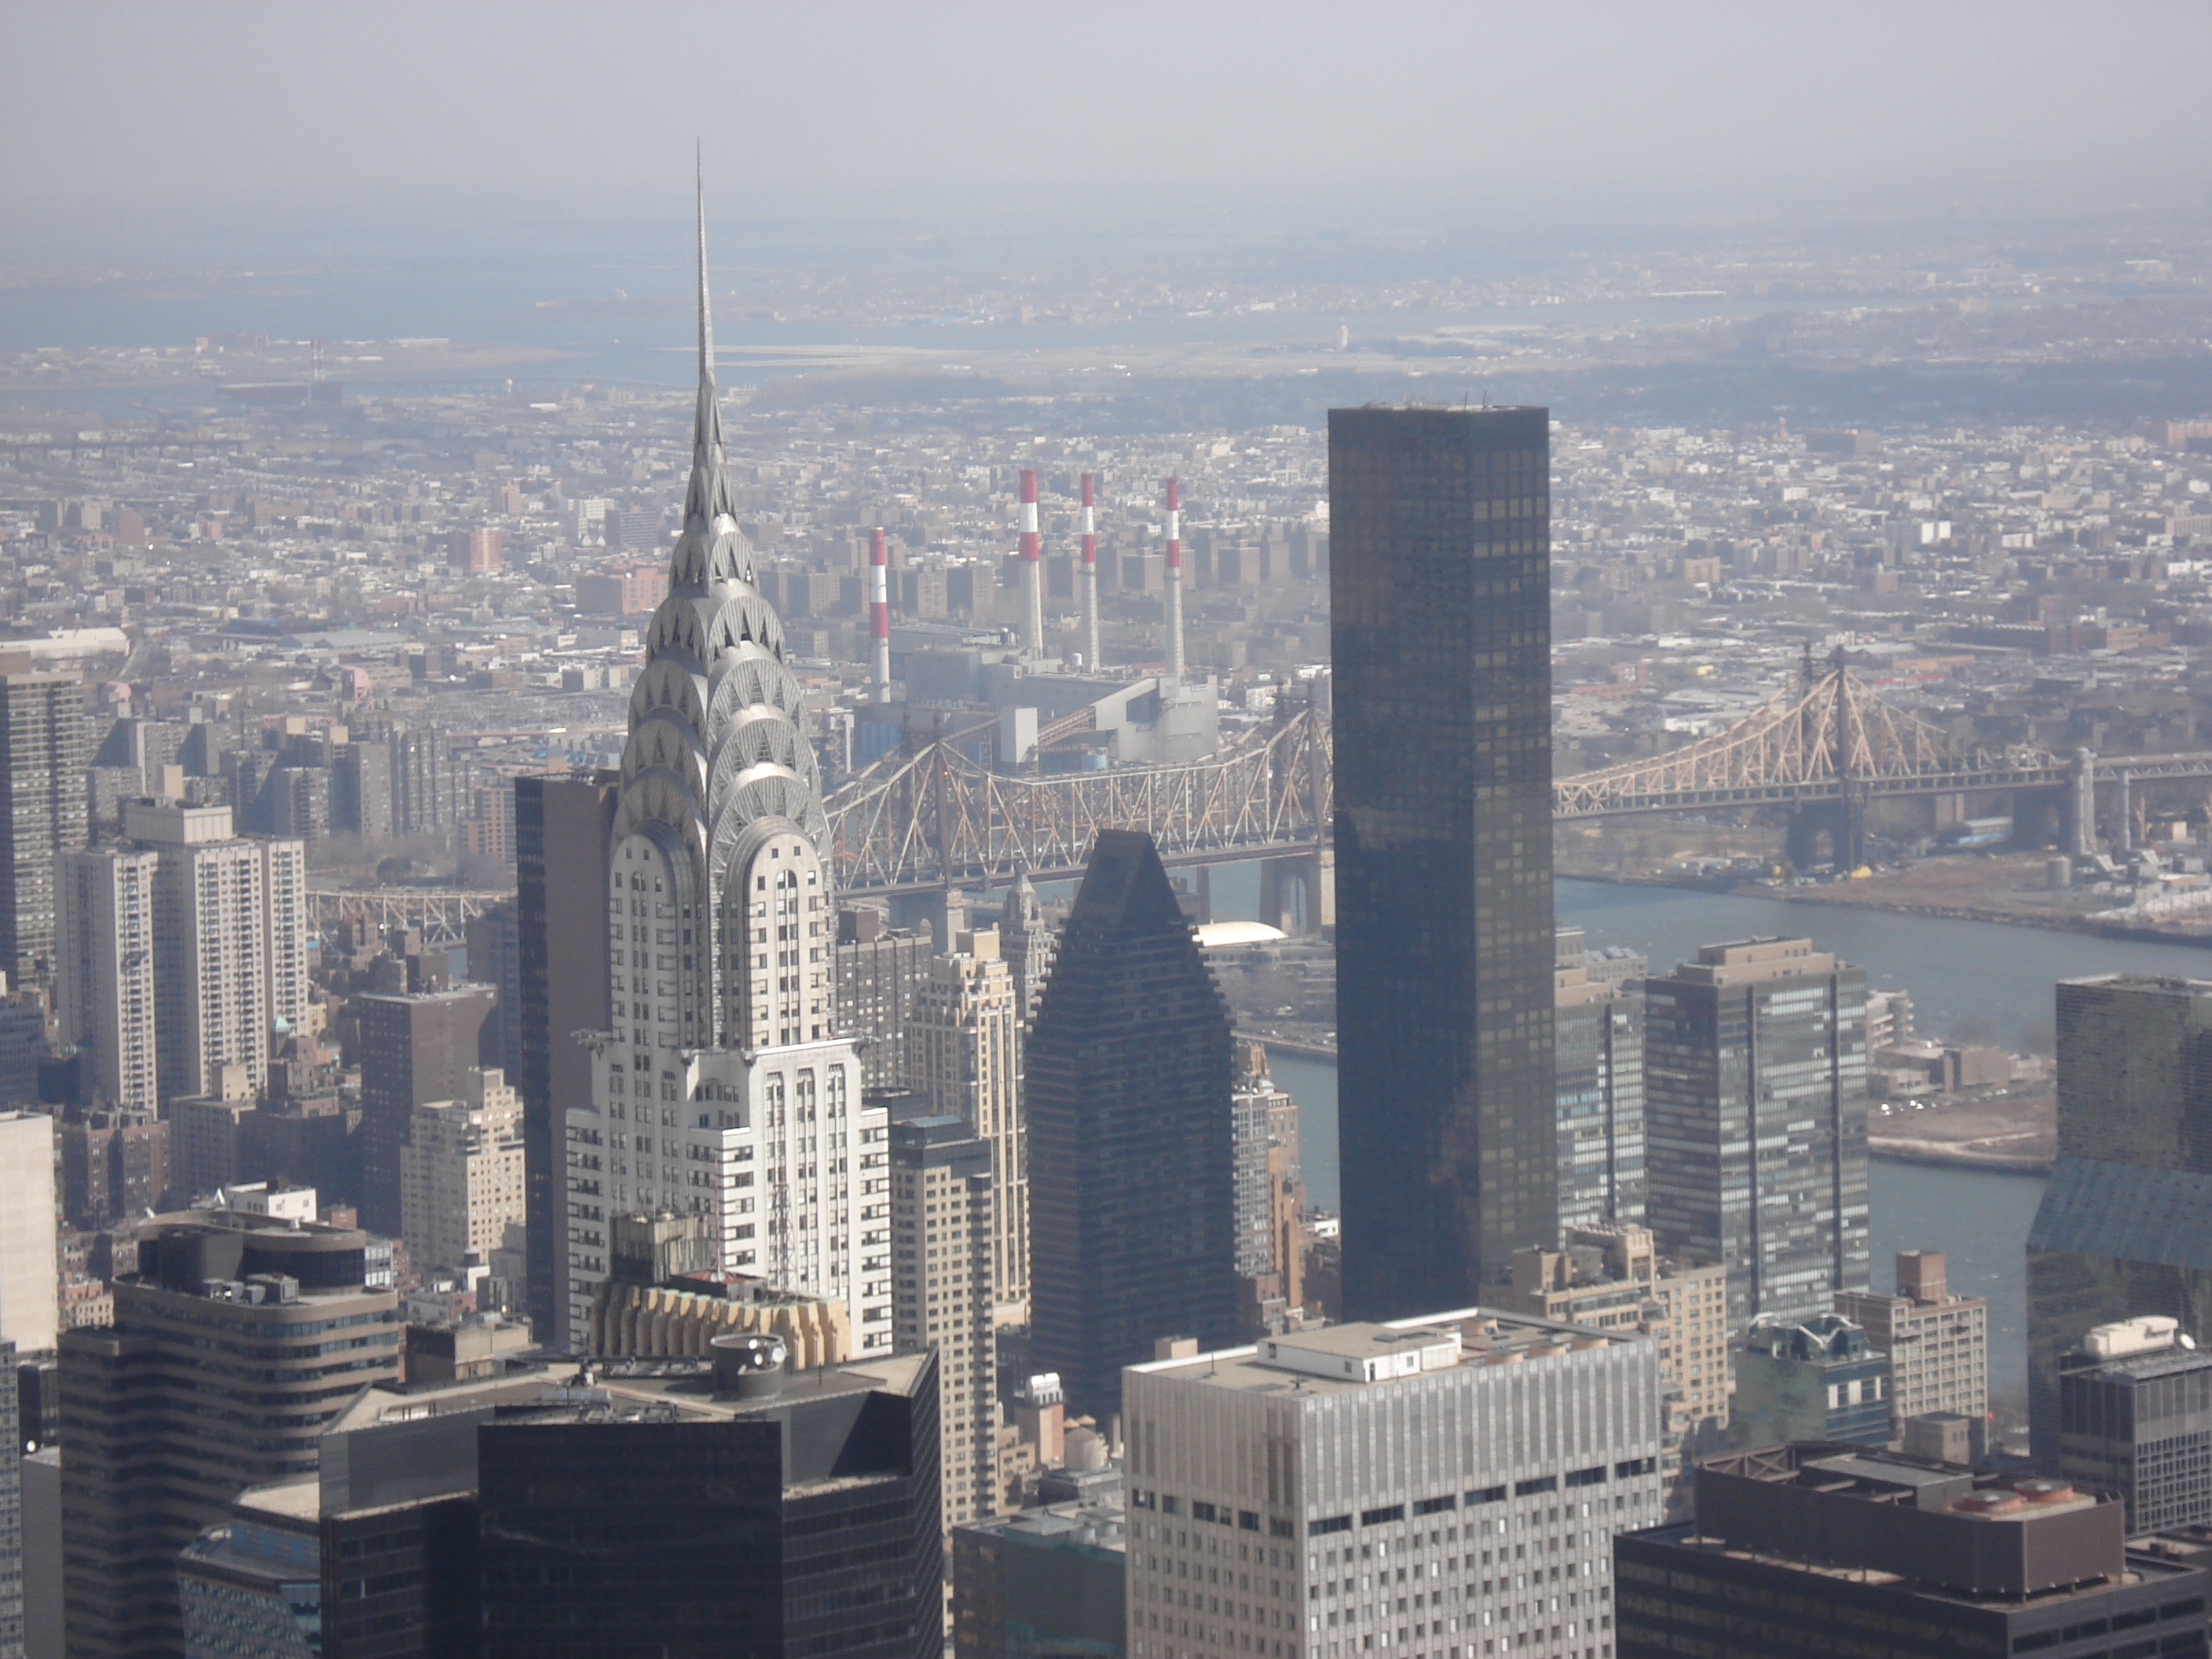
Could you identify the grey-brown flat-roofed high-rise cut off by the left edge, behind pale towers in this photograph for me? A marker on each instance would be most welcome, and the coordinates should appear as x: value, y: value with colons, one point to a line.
x: 43, y: 815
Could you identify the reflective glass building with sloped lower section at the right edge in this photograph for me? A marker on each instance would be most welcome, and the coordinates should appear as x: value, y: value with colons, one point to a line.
x: 2127, y: 1220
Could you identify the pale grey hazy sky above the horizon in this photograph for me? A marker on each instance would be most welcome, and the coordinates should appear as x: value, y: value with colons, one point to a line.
x: 1109, y: 114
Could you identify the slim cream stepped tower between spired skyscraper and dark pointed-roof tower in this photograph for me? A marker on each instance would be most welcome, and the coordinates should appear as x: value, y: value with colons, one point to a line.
x: 963, y: 1052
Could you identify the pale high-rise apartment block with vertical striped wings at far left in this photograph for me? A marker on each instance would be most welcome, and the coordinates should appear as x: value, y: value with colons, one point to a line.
x: 185, y: 948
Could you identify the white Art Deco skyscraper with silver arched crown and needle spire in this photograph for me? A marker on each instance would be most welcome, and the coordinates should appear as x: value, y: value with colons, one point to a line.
x: 722, y: 1085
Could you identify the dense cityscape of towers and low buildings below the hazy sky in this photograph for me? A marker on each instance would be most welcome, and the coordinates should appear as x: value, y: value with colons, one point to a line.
x: 618, y: 1036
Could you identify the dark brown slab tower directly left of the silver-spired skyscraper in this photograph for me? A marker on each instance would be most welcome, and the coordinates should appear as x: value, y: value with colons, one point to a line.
x: 563, y: 833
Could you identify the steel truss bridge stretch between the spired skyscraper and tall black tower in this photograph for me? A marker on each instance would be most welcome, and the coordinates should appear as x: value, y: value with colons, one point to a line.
x: 937, y: 817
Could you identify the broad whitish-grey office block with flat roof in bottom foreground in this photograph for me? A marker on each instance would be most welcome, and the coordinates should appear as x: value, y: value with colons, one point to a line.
x: 1441, y: 1488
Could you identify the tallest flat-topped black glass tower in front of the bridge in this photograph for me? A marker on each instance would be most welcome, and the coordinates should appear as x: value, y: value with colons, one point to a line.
x: 1441, y: 625
